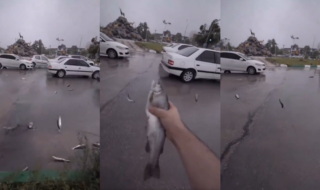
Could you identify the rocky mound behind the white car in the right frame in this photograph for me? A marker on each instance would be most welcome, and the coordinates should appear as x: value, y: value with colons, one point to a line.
x: 253, y: 47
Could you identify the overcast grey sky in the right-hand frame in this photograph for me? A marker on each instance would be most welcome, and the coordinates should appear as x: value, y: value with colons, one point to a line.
x: 278, y: 19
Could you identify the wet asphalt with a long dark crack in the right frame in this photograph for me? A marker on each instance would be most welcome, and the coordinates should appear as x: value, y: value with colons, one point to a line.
x: 281, y: 148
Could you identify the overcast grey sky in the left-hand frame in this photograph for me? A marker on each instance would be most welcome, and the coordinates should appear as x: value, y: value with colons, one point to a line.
x: 48, y: 20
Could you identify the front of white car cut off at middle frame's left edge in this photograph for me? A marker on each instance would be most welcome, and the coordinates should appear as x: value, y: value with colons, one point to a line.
x: 112, y: 48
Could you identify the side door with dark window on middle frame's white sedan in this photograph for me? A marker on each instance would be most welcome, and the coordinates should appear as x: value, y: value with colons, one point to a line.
x: 206, y: 66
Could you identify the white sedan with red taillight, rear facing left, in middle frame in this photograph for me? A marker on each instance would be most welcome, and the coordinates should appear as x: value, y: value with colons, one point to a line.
x: 192, y: 63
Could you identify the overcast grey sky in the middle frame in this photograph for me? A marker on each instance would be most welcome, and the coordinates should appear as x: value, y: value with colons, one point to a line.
x: 155, y: 11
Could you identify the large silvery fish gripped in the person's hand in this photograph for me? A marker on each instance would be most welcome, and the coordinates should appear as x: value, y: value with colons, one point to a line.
x: 155, y: 132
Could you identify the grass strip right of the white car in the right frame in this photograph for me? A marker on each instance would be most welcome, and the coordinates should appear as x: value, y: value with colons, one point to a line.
x: 291, y: 62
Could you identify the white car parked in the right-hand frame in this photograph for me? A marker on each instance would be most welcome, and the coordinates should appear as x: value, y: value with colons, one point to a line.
x: 235, y: 61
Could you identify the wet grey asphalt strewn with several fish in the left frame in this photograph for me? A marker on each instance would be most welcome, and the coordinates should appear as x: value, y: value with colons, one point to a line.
x: 33, y: 99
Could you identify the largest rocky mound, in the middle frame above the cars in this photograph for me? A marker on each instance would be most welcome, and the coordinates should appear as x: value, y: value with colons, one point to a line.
x: 121, y: 28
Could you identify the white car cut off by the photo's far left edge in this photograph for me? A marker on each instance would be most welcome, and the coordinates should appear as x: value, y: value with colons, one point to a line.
x: 14, y: 61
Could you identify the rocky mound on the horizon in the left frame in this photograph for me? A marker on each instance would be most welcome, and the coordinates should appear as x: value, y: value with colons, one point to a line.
x: 20, y: 47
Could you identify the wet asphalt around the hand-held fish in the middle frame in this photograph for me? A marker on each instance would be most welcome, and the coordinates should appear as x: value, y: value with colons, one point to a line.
x: 123, y: 123
